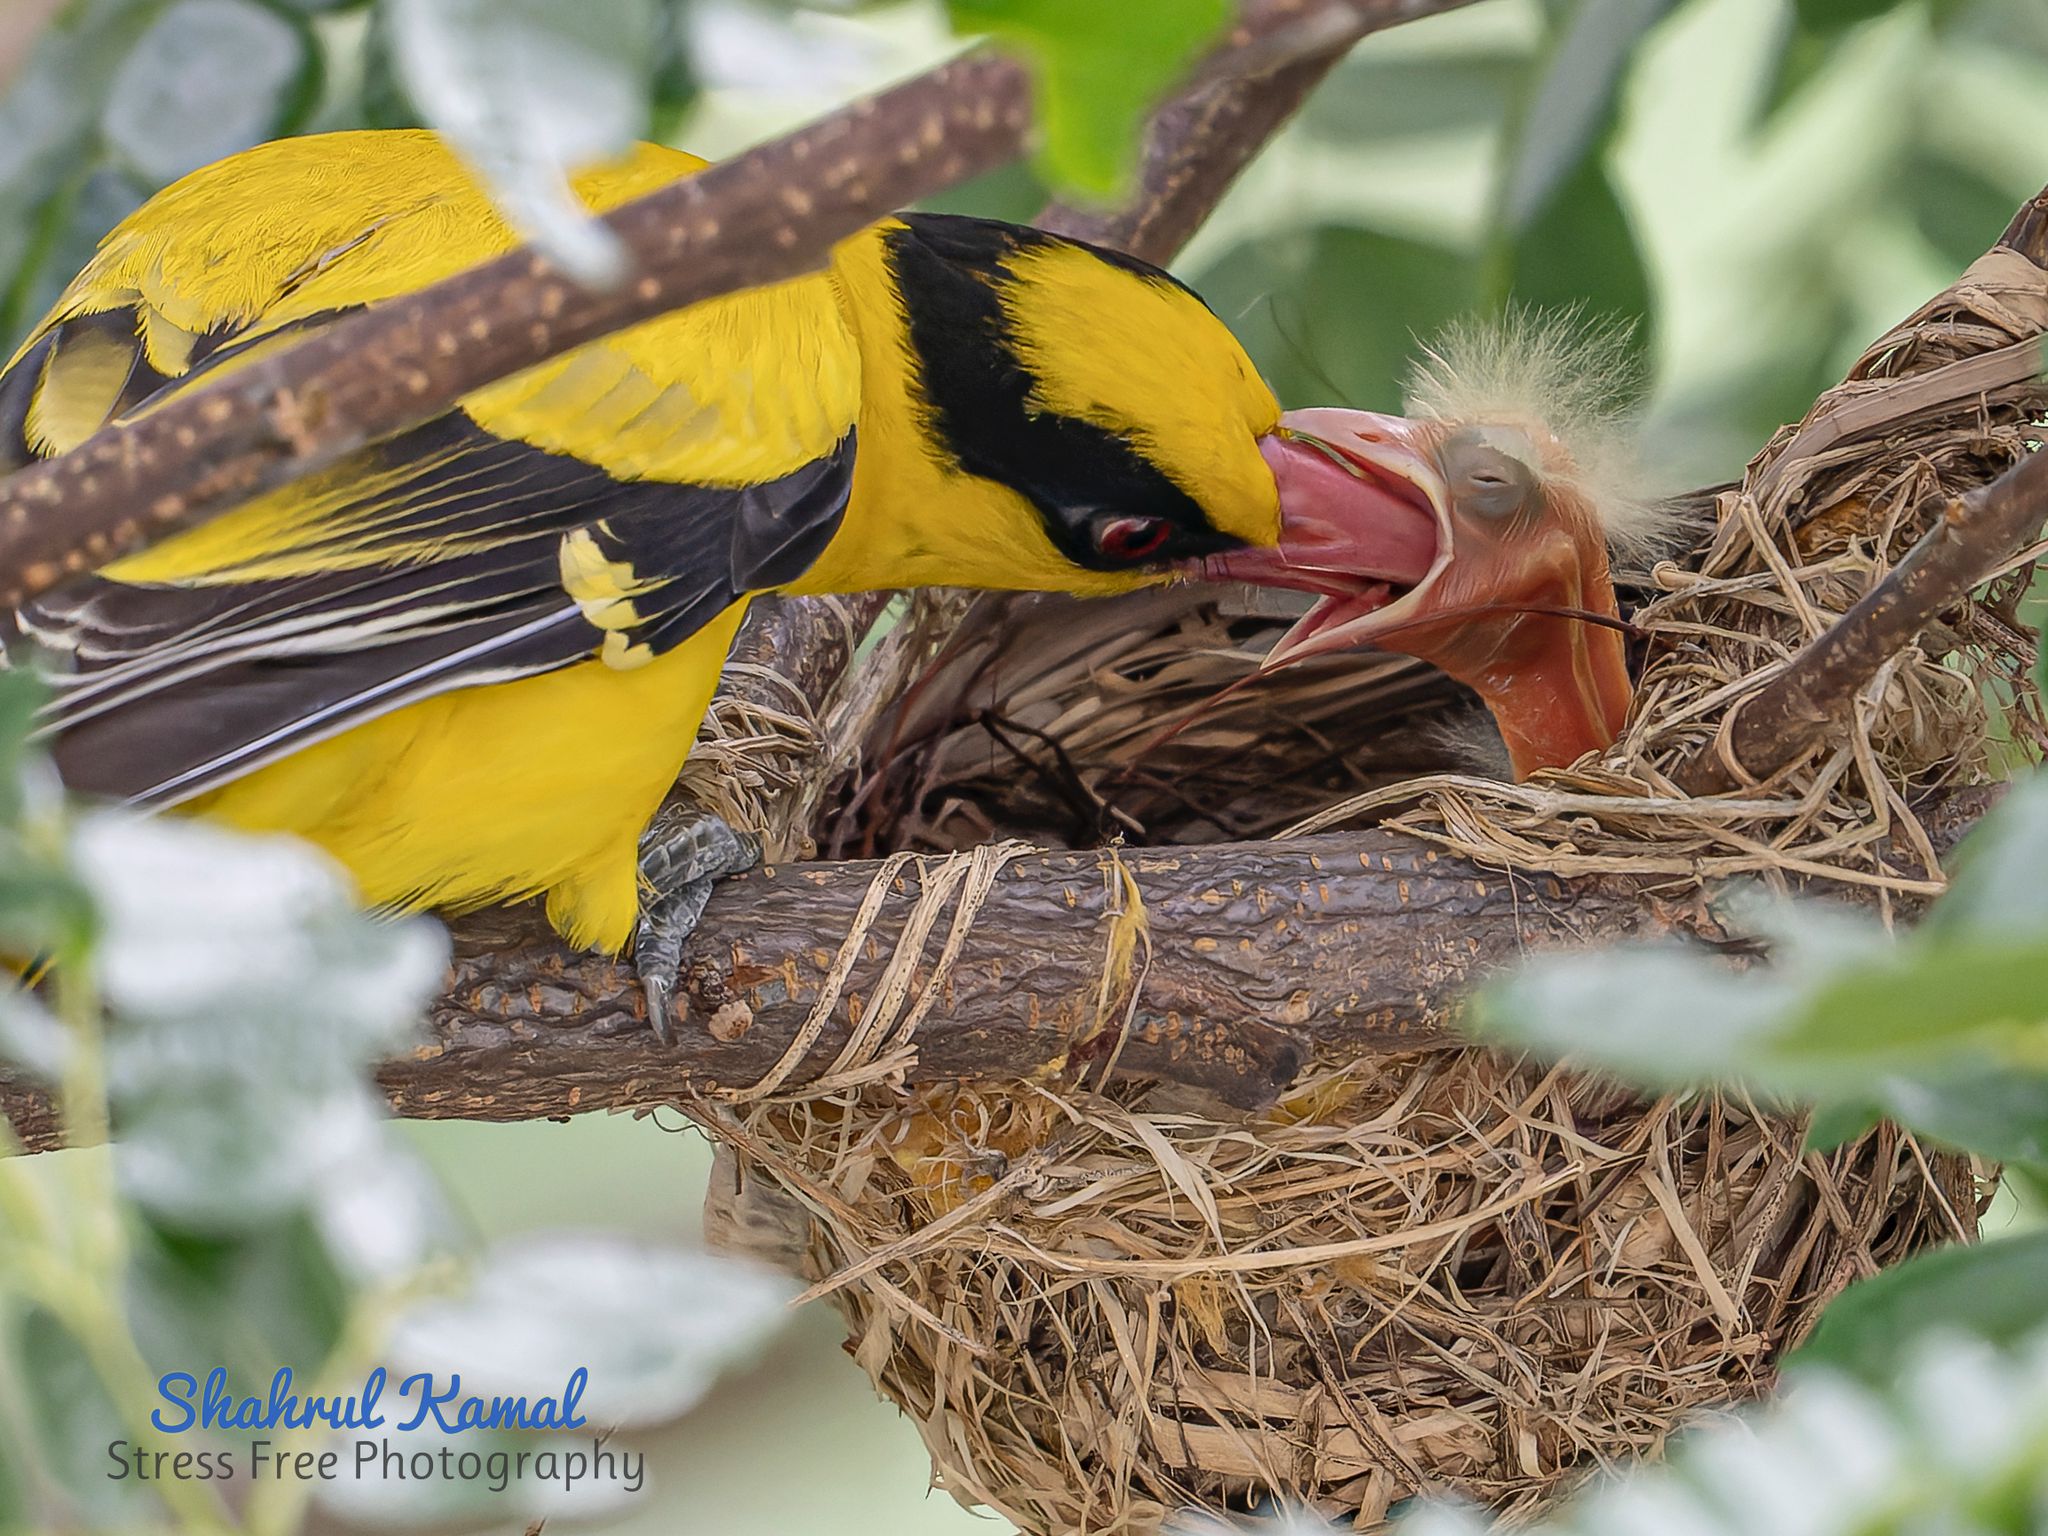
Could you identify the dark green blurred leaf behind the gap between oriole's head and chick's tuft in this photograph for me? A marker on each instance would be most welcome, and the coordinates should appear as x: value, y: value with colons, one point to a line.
x: 1312, y: 308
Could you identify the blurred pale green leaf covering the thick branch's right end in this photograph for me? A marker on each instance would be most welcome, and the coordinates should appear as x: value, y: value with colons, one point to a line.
x: 1947, y: 1031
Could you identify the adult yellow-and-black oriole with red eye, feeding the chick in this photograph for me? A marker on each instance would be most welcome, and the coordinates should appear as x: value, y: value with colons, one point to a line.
x: 472, y: 658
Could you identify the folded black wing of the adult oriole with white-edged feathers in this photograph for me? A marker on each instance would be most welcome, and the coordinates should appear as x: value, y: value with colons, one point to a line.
x: 443, y: 558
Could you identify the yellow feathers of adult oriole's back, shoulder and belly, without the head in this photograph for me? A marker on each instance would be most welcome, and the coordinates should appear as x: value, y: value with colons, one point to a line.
x: 409, y: 802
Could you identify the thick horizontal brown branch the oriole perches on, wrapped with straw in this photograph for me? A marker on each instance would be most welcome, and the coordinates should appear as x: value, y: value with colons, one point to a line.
x: 1258, y: 959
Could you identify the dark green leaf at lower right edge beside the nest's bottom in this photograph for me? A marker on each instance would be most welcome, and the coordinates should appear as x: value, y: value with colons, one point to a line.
x: 1994, y: 1291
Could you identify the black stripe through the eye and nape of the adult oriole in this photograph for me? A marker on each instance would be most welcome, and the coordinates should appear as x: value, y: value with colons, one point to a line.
x: 949, y: 271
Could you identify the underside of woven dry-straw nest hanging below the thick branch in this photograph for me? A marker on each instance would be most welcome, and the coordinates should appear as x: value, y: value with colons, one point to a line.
x: 1426, y: 1271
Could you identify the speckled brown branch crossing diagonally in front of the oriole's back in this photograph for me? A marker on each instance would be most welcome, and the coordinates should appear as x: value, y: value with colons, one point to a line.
x: 759, y: 218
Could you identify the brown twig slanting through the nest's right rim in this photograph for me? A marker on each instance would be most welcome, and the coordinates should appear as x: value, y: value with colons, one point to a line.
x: 1795, y: 710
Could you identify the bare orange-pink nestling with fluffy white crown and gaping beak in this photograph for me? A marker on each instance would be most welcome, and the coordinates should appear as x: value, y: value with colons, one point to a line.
x: 1492, y: 511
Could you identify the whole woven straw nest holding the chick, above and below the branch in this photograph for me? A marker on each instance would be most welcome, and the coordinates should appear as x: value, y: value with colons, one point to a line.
x: 1435, y: 1269
